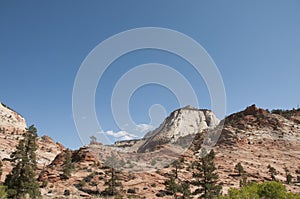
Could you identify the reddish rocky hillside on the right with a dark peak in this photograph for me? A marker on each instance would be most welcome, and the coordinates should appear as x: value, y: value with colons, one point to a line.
x: 257, y: 138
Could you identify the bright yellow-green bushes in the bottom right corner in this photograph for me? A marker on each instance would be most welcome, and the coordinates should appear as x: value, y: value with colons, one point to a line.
x: 266, y: 190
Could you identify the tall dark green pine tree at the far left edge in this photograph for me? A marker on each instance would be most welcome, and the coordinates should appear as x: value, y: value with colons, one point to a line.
x: 21, y: 181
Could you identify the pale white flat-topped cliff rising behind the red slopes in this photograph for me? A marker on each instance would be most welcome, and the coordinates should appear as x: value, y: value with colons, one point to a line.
x: 181, y: 123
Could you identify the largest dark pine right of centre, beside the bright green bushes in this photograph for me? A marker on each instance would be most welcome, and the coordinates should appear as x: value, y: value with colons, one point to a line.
x: 207, y: 179
